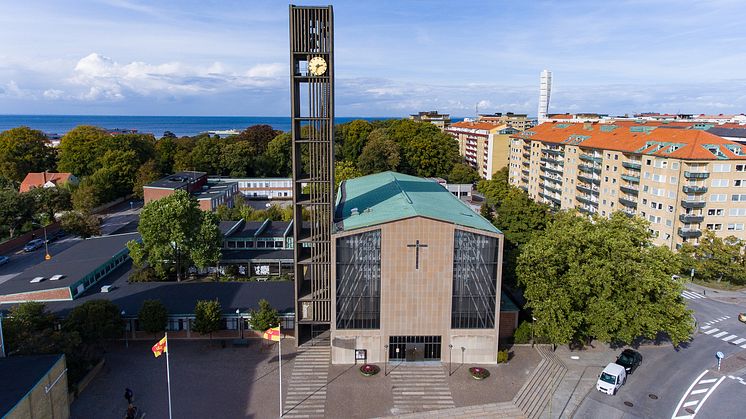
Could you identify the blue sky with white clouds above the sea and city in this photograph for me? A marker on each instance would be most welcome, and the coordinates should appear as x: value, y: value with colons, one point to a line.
x: 392, y: 58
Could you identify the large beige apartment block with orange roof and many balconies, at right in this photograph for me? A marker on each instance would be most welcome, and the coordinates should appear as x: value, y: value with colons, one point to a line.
x: 682, y: 180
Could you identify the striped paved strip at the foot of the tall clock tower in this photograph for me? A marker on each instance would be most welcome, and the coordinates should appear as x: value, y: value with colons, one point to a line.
x: 306, y: 395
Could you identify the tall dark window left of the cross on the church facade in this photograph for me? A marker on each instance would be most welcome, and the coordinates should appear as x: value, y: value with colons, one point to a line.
x: 359, y: 281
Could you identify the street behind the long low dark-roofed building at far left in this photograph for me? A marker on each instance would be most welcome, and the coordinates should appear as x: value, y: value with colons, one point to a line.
x: 117, y: 219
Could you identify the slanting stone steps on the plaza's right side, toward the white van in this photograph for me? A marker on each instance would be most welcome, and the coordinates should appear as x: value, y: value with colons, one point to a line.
x: 532, y: 399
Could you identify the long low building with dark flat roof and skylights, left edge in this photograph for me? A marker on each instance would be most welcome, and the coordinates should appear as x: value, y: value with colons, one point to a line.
x: 70, y: 273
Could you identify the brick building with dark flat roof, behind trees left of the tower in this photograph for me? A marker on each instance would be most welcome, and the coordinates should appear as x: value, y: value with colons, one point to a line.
x: 210, y: 195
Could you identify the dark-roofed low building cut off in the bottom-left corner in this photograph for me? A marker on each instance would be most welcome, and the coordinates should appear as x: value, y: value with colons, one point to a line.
x: 34, y: 387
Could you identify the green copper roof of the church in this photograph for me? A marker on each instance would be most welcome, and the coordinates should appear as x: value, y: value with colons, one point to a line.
x: 390, y: 196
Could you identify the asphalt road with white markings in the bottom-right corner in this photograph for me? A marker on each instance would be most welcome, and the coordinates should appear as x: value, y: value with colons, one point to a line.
x: 684, y: 383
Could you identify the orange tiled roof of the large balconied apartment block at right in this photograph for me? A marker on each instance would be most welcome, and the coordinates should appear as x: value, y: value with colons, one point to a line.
x: 647, y: 139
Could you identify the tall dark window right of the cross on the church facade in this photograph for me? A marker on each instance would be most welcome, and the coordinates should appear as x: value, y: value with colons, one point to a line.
x: 474, y: 281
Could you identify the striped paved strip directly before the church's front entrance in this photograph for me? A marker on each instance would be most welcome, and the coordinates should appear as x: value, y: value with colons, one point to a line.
x: 419, y: 388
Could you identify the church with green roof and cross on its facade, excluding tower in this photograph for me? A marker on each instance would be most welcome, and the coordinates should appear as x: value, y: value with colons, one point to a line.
x: 416, y: 274
